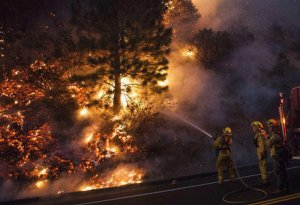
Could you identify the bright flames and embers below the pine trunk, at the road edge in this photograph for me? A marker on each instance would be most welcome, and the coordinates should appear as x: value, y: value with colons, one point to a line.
x: 104, y: 147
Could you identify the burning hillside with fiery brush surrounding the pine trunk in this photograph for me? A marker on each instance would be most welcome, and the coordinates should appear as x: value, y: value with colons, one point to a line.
x: 97, y: 148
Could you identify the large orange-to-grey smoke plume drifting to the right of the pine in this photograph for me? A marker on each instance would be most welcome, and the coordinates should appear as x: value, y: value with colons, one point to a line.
x: 243, y: 90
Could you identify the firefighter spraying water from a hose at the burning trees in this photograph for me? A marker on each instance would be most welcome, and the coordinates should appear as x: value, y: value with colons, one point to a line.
x: 223, y: 150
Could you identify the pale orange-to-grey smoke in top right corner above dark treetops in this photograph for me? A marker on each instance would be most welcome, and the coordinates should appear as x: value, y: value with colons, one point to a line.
x: 257, y: 15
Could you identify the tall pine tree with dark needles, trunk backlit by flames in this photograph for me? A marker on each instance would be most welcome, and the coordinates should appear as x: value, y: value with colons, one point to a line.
x: 125, y: 38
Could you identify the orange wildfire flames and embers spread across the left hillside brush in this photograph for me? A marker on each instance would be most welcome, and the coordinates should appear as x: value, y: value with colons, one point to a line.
x: 34, y: 155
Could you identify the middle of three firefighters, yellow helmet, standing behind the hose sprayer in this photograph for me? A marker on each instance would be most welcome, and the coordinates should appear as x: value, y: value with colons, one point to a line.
x: 261, y: 148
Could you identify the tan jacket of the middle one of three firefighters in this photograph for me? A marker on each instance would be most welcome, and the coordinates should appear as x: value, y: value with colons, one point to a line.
x: 261, y: 145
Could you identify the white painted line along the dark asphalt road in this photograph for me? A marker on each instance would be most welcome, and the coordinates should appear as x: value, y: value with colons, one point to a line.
x: 168, y: 190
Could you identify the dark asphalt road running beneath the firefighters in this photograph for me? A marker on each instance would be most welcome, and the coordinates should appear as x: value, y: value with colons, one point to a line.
x: 198, y: 189
